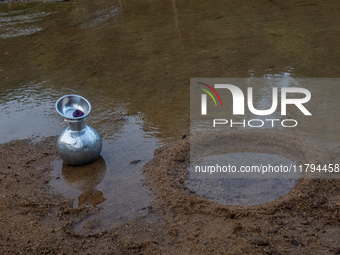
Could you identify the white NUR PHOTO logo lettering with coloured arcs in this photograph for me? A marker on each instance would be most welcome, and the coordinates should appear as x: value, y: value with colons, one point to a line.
x: 297, y: 97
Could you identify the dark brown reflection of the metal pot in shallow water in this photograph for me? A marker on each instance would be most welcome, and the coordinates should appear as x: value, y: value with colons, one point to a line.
x: 86, y: 178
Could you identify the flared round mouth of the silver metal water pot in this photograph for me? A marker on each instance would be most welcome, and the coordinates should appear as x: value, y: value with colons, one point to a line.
x: 66, y: 106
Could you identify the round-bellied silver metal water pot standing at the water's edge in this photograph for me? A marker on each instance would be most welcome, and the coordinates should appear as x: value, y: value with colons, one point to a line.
x: 78, y: 144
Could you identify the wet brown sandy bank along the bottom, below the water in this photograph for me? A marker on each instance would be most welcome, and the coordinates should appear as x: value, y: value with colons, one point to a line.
x: 35, y: 221
